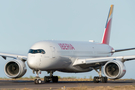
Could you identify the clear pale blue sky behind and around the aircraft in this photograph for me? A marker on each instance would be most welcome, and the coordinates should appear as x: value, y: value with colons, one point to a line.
x: 25, y: 22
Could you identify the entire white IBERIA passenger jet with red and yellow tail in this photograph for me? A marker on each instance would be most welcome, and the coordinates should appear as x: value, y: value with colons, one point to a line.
x: 70, y: 56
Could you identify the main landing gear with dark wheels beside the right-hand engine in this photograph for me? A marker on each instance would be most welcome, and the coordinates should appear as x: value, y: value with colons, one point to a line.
x: 100, y: 78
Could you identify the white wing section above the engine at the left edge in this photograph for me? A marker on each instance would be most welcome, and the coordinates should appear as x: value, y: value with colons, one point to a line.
x: 21, y: 57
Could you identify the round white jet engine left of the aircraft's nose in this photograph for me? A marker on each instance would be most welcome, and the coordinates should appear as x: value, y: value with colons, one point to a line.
x: 15, y: 68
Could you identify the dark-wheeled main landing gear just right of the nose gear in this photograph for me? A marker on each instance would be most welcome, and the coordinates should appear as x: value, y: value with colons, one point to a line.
x: 51, y: 78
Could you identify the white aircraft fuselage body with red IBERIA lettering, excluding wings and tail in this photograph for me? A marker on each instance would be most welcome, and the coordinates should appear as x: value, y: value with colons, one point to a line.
x: 60, y: 55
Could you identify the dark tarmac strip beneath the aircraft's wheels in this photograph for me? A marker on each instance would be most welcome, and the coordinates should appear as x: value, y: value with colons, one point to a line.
x: 30, y: 84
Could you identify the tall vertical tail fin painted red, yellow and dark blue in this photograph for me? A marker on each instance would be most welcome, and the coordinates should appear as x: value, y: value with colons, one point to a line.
x: 106, y: 36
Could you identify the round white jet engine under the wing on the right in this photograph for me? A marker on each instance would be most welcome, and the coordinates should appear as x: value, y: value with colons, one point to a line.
x: 114, y: 69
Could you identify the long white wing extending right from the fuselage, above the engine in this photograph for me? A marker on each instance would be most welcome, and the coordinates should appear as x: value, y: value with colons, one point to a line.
x: 101, y: 60
